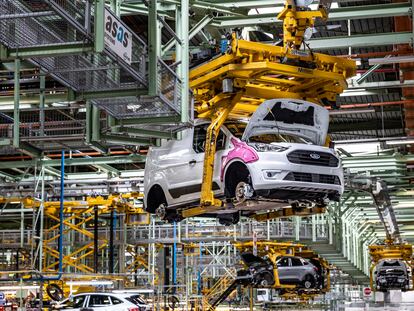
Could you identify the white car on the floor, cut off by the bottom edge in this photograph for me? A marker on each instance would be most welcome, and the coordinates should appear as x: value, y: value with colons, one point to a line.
x: 103, y: 302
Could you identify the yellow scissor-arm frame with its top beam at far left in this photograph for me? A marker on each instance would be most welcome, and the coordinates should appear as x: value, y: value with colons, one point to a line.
x: 81, y: 213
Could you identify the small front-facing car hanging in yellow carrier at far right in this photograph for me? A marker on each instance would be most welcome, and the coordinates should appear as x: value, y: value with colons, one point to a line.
x: 391, y: 274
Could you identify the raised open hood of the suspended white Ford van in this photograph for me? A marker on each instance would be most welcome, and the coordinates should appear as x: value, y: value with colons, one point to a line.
x: 289, y: 116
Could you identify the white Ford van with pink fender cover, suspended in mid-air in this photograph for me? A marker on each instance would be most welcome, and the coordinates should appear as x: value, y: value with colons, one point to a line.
x: 277, y: 157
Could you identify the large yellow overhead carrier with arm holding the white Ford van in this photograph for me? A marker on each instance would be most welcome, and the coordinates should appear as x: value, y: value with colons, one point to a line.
x: 234, y: 84
